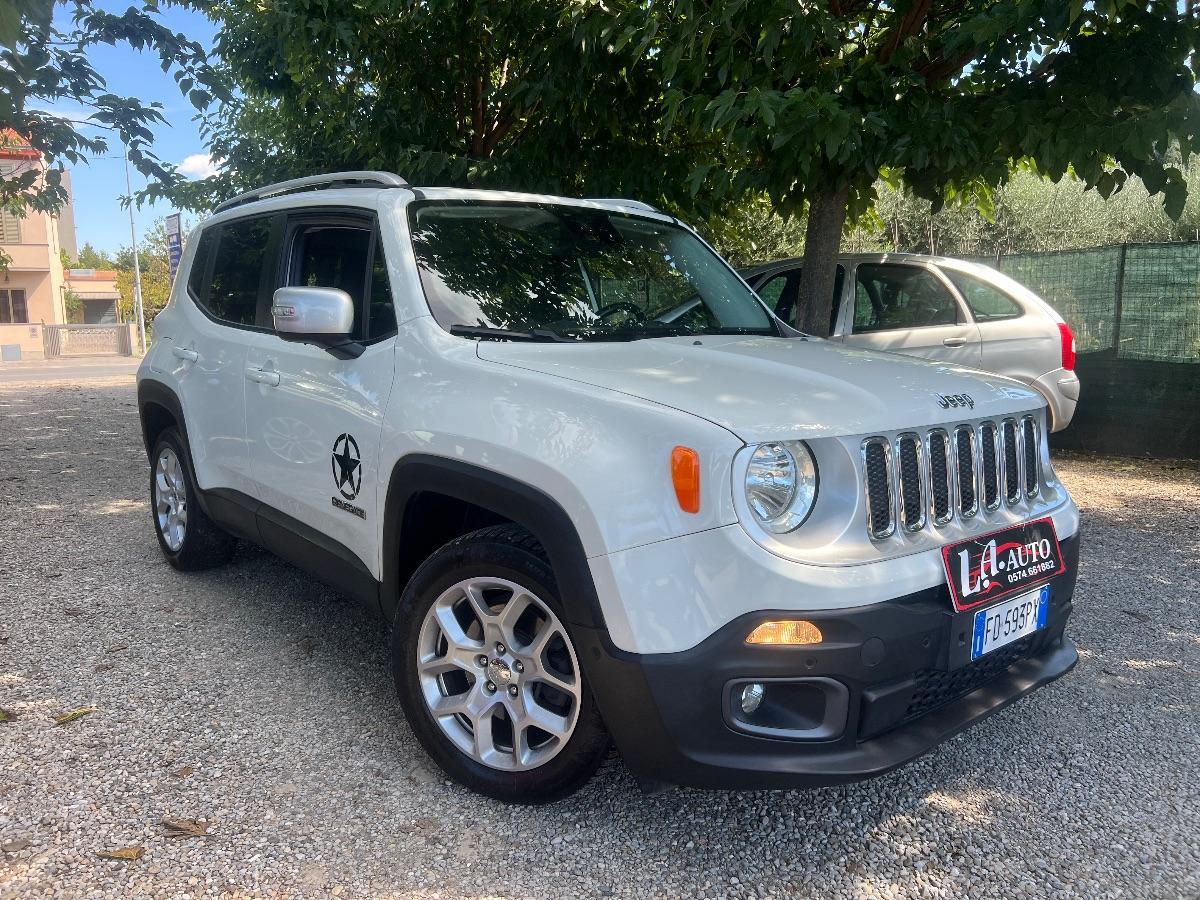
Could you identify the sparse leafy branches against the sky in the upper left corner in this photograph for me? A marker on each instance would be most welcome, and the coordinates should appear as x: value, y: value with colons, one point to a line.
x: 43, y: 67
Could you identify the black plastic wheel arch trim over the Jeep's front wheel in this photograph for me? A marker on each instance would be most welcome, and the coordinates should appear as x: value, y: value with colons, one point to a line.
x: 505, y: 496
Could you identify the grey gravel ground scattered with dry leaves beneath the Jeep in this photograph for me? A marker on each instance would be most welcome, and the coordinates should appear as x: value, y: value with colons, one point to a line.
x: 259, y: 705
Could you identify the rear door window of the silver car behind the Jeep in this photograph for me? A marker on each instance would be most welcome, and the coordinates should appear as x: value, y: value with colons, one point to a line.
x: 901, y: 297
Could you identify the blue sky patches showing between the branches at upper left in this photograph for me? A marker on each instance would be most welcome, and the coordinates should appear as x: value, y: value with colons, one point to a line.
x: 100, y: 185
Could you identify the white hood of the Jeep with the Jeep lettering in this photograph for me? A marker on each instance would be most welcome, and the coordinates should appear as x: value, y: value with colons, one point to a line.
x: 777, y: 388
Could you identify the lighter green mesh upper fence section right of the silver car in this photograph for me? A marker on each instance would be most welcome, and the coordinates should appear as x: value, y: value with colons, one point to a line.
x: 1141, y: 299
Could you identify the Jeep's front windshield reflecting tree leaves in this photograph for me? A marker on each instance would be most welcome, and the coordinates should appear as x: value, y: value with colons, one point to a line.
x: 574, y: 273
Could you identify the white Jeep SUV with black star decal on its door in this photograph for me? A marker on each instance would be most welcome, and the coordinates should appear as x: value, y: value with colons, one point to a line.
x: 747, y: 557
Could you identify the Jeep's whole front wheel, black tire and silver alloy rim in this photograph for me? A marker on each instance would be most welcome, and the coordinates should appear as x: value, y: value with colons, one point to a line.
x: 488, y: 674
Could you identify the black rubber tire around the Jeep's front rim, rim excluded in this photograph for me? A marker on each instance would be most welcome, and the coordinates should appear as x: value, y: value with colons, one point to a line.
x: 512, y: 554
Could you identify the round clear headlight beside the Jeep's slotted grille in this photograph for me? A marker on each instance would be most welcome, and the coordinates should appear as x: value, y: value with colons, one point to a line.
x: 782, y: 485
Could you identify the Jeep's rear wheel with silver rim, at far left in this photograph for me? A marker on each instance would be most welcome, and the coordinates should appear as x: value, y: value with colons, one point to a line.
x: 187, y: 536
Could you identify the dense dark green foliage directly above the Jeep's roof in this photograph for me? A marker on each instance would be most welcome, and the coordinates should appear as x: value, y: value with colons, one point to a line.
x: 460, y: 93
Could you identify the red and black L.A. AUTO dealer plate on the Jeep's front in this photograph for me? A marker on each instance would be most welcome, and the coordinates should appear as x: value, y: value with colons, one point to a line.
x: 1000, y: 565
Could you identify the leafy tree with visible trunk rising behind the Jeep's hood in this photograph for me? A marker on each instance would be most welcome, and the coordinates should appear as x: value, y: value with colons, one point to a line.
x: 813, y: 104
